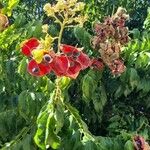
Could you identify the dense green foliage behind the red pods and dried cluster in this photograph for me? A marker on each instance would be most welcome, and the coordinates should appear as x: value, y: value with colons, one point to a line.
x: 114, y: 108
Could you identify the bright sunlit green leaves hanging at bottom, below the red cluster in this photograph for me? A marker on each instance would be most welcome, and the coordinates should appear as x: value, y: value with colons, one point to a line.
x: 50, y: 122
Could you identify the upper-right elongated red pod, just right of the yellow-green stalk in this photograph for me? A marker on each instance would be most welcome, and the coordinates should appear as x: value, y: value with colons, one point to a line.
x: 76, y: 55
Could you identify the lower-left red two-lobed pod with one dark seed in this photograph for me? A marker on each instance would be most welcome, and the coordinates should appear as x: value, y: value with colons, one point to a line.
x: 36, y: 69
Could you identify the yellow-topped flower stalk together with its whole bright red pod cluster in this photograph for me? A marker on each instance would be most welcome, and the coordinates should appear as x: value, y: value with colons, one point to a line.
x: 68, y: 60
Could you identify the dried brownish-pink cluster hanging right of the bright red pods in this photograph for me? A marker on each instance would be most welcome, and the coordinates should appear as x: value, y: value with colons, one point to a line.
x: 111, y: 35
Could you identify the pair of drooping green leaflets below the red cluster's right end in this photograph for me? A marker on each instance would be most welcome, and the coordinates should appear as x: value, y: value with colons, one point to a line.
x: 94, y: 90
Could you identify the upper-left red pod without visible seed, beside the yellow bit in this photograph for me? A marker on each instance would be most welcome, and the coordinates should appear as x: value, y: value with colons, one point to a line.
x: 29, y: 45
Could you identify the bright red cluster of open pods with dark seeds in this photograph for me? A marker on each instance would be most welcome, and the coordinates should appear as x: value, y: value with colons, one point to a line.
x: 68, y: 63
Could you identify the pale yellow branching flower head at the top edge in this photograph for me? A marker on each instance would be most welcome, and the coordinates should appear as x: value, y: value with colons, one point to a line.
x: 67, y: 10
